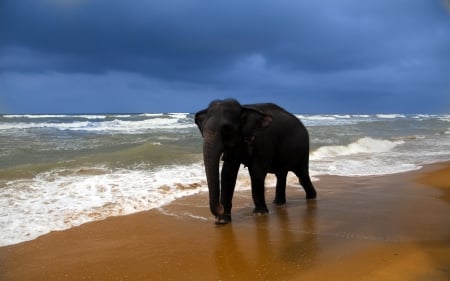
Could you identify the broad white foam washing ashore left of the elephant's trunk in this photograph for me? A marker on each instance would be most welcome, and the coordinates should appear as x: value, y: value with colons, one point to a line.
x: 59, y: 200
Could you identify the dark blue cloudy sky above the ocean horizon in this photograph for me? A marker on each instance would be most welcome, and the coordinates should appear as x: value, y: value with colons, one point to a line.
x: 321, y: 56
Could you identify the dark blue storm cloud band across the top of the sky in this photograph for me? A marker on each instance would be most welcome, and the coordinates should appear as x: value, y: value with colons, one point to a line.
x: 174, y: 36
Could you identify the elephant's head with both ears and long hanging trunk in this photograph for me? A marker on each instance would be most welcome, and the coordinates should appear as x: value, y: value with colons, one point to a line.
x: 225, y: 125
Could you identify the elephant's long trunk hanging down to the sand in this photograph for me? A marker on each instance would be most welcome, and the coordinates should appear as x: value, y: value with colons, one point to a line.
x: 212, y: 149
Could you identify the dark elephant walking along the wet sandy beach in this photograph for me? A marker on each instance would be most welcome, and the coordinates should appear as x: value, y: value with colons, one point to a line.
x: 265, y: 138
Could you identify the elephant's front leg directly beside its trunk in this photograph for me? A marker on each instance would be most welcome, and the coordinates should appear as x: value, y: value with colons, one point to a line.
x: 228, y: 182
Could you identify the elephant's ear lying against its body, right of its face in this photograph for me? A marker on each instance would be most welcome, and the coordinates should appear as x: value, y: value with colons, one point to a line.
x: 253, y: 119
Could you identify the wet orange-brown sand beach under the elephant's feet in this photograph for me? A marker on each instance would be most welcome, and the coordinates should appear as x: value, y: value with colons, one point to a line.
x: 393, y: 227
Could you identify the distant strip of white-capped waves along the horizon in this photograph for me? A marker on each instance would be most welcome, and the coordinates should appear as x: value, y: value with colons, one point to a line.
x: 144, y: 121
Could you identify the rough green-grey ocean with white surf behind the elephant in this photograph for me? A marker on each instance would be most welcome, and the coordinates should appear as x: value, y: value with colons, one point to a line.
x: 60, y: 171
